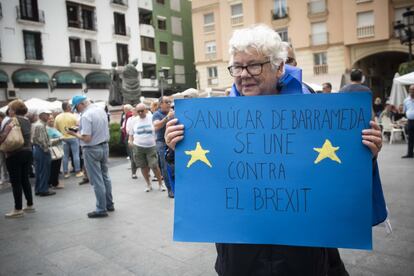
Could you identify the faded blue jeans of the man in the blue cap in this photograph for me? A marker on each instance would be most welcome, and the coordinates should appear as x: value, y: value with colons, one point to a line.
x: 96, y: 164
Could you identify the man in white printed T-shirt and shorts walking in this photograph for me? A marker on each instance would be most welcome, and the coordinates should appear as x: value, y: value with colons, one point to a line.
x: 142, y: 142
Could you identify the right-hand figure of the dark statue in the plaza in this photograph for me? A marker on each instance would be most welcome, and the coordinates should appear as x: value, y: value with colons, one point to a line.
x: 131, y: 91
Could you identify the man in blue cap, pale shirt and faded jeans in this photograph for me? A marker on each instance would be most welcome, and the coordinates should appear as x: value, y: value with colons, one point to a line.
x: 94, y: 136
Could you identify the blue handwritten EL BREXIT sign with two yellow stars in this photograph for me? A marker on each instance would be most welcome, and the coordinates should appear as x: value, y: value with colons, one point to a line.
x: 288, y: 170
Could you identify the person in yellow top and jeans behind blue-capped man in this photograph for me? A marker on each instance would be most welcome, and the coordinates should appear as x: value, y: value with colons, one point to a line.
x: 63, y: 122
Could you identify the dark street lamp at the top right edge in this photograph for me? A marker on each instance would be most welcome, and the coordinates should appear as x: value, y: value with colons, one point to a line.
x: 405, y: 29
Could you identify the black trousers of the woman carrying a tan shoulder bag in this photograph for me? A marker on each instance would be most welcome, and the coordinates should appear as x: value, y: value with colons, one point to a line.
x: 18, y: 166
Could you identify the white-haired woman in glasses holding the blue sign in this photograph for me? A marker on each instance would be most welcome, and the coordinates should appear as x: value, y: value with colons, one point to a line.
x: 257, y: 58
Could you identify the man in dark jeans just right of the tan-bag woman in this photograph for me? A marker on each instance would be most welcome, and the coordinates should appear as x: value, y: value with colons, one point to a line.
x: 41, y: 153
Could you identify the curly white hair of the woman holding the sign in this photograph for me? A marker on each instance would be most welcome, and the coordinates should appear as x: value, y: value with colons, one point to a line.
x: 260, y: 38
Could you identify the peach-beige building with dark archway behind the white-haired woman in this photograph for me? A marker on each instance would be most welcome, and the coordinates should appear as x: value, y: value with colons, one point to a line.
x: 330, y: 37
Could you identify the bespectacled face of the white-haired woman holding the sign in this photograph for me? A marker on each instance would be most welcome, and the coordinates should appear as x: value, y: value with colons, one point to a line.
x: 262, y: 84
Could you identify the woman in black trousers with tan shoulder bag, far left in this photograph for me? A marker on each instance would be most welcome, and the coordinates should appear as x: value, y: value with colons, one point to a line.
x: 15, y: 142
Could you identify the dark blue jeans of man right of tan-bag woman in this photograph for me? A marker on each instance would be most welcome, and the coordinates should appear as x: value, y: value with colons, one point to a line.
x: 42, y: 162
